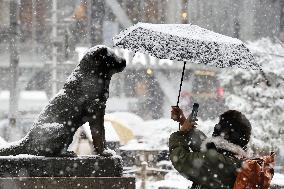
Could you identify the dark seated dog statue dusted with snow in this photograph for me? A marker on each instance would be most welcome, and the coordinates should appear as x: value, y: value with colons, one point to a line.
x: 81, y: 100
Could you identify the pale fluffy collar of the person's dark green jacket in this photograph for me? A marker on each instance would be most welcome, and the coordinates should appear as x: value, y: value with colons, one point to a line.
x: 224, y: 144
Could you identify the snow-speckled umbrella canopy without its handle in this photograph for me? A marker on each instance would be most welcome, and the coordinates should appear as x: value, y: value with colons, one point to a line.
x: 186, y: 42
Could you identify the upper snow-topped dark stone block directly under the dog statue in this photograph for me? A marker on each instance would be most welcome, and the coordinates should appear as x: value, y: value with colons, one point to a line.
x: 37, y: 166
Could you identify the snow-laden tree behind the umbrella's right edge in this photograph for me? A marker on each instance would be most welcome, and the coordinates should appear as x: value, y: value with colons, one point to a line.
x: 248, y: 92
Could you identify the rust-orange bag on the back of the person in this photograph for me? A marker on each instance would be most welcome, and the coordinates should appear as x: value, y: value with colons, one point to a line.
x: 255, y: 173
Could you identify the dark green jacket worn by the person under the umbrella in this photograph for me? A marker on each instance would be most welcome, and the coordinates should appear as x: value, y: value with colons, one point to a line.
x: 212, y: 168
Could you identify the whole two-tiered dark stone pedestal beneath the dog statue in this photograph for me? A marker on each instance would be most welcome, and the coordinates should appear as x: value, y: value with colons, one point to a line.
x: 26, y: 172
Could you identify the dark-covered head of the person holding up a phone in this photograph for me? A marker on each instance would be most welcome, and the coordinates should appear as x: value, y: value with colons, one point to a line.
x: 234, y: 127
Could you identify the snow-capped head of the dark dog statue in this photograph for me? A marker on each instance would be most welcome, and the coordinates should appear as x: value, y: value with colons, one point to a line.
x: 102, y: 59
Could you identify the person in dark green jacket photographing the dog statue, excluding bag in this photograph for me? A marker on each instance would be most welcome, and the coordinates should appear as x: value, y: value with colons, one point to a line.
x: 210, y: 162
